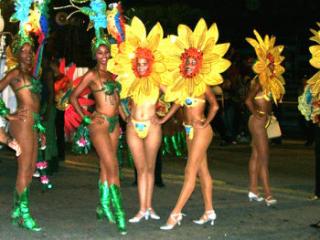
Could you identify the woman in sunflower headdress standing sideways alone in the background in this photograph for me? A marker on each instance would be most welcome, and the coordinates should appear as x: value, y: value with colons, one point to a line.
x: 265, y: 87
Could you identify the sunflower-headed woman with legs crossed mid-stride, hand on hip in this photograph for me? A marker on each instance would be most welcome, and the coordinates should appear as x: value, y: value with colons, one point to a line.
x: 194, y: 62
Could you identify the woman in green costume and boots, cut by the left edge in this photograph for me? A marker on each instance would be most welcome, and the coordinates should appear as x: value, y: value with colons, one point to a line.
x: 27, y: 90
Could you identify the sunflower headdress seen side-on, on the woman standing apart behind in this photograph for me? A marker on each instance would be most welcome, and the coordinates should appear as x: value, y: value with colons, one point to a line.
x: 268, y: 65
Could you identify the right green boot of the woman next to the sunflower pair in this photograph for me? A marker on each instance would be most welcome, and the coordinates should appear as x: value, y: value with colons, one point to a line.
x: 117, y: 206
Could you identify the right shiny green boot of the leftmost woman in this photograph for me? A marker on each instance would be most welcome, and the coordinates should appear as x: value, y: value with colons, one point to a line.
x: 26, y: 221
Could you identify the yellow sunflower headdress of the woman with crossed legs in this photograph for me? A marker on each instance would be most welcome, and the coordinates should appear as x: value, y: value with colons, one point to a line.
x: 201, y: 46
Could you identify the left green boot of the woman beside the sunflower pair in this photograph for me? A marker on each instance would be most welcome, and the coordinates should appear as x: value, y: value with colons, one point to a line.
x: 103, y: 208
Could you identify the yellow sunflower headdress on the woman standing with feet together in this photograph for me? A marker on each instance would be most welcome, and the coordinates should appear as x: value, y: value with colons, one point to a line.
x: 139, y: 45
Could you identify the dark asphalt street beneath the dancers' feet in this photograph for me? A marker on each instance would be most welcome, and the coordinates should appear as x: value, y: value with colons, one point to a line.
x: 68, y: 210
